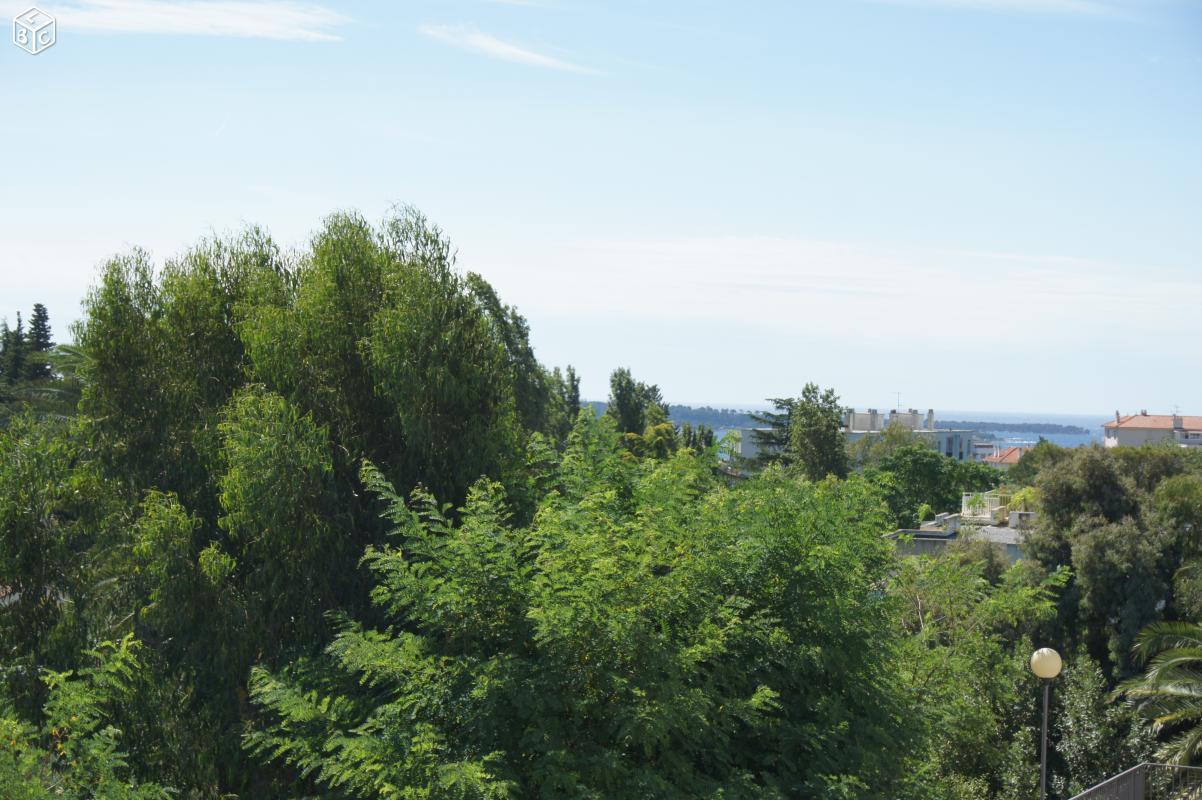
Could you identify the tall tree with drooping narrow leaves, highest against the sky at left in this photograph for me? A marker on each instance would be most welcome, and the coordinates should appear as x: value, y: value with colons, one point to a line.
x: 229, y: 397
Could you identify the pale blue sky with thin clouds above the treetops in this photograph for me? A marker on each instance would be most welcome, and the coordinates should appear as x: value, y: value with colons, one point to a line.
x: 985, y: 205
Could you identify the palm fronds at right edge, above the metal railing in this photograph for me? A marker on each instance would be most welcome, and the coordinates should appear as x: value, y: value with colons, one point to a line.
x: 1170, y: 691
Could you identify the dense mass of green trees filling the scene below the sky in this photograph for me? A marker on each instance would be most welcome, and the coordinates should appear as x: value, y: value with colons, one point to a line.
x: 319, y: 524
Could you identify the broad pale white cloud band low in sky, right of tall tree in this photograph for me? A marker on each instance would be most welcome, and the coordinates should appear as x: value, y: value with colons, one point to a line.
x: 812, y: 288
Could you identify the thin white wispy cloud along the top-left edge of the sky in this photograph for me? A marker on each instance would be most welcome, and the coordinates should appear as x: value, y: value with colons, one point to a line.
x: 278, y: 20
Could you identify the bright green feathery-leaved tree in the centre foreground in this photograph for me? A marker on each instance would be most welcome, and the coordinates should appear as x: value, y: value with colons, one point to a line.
x: 682, y: 641
